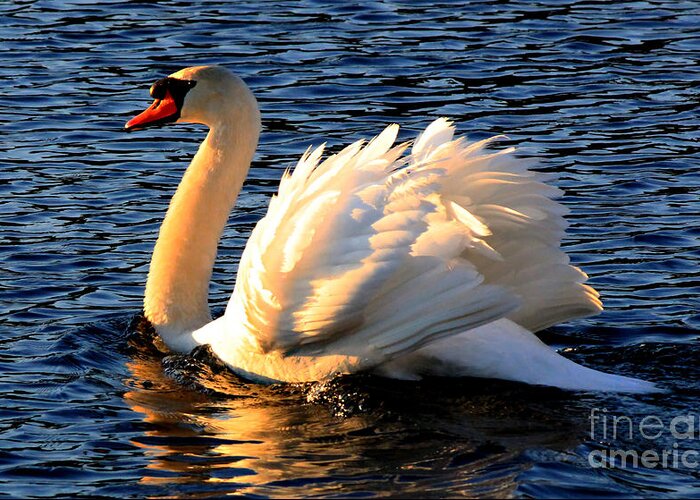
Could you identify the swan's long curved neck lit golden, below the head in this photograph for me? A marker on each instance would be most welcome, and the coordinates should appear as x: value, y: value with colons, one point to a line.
x: 177, y: 289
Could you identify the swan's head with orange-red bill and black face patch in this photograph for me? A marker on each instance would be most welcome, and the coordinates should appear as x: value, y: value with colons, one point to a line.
x: 209, y: 95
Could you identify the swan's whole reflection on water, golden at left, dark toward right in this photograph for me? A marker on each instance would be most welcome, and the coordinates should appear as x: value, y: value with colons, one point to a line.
x: 209, y: 427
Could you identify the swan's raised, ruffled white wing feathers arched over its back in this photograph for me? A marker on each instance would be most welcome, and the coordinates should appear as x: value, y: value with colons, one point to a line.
x: 372, y: 254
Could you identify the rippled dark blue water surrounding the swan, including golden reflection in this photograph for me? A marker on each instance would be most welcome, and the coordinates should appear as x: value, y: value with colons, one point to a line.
x: 605, y: 93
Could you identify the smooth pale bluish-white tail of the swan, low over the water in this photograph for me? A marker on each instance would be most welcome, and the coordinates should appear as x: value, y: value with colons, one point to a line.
x: 504, y: 350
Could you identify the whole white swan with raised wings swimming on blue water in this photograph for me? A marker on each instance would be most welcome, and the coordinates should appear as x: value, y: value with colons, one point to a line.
x: 438, y: 262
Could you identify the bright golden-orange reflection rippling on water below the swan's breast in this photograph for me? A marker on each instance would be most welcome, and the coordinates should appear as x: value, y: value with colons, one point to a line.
x: 249, y: 439
